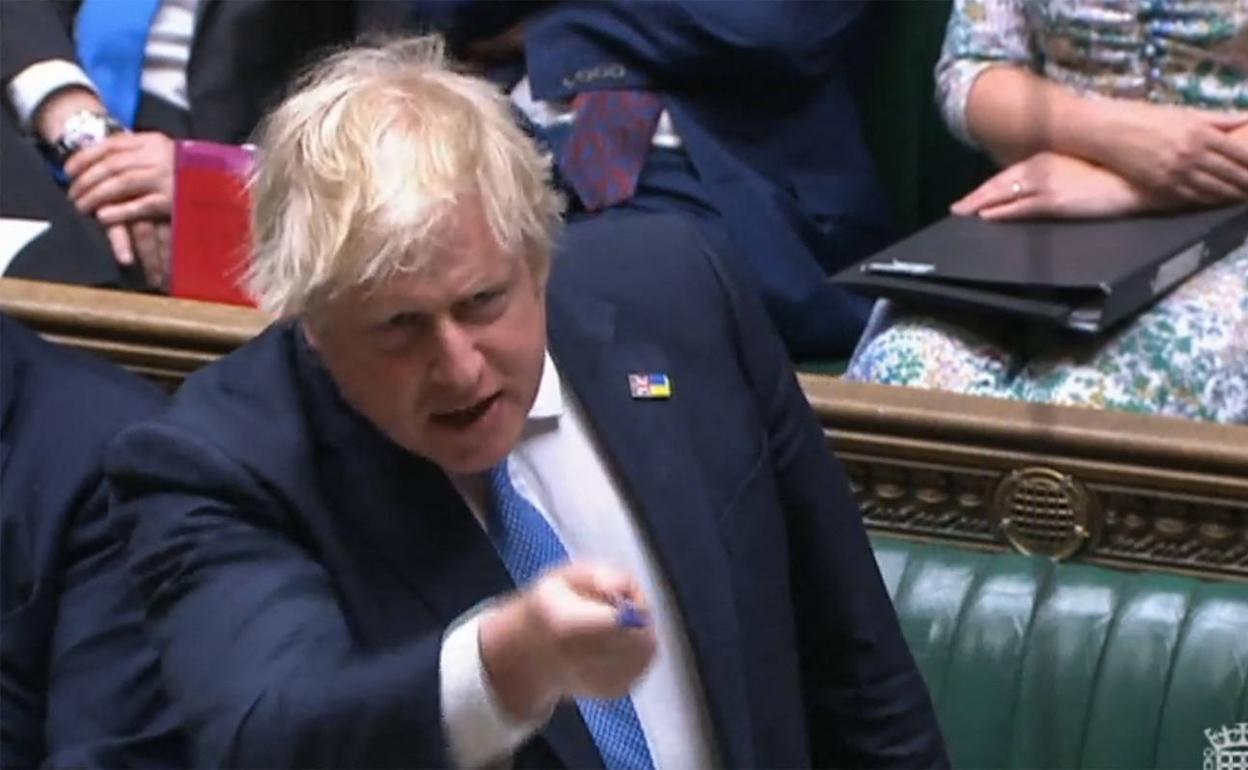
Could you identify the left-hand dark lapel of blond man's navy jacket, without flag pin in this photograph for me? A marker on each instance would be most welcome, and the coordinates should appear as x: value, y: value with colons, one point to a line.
x: 412, y: 516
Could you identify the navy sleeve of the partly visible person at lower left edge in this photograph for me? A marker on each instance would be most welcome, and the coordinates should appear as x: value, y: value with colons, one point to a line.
x: 105, y: 707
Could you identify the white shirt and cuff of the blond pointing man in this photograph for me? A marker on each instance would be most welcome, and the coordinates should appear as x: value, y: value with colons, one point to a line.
x: 560, y: 467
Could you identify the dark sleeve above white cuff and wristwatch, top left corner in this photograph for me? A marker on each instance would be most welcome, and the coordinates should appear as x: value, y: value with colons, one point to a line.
x: 32, y: 32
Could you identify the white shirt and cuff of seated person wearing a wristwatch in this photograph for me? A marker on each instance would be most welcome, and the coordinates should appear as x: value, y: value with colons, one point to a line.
x: 164, y: 74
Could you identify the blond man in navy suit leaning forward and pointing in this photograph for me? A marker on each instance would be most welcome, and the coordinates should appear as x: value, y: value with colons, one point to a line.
x: 450, y: 512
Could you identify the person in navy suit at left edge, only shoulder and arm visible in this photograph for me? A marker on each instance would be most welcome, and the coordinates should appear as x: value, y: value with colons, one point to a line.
x: 79, y: 681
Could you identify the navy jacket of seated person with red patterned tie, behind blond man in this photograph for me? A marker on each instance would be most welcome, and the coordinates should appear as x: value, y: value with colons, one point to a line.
x: 761, y: 94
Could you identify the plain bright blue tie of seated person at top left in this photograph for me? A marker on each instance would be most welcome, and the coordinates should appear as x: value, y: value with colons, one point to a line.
x: 112, y: 41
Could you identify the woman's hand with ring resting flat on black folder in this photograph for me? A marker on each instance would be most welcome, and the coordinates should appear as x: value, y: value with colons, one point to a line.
x: 1049, y: 185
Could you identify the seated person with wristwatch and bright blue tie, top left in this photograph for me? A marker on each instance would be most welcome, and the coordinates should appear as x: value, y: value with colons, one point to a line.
x: 107, y: 85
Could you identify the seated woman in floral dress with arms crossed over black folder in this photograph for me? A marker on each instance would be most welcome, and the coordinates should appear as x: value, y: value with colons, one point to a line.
x: 1095, y: 110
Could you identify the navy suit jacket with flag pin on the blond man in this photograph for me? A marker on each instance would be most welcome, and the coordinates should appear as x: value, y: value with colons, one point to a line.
x: 301, y: 570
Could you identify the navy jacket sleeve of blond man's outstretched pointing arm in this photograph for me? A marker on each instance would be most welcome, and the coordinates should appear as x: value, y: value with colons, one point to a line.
x: 256, y: 650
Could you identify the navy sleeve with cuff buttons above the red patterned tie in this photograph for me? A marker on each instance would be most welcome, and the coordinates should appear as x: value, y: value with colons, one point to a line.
x: 685, y: 44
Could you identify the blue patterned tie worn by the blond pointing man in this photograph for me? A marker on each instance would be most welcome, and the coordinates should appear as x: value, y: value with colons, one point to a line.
x: 530, y: 547
